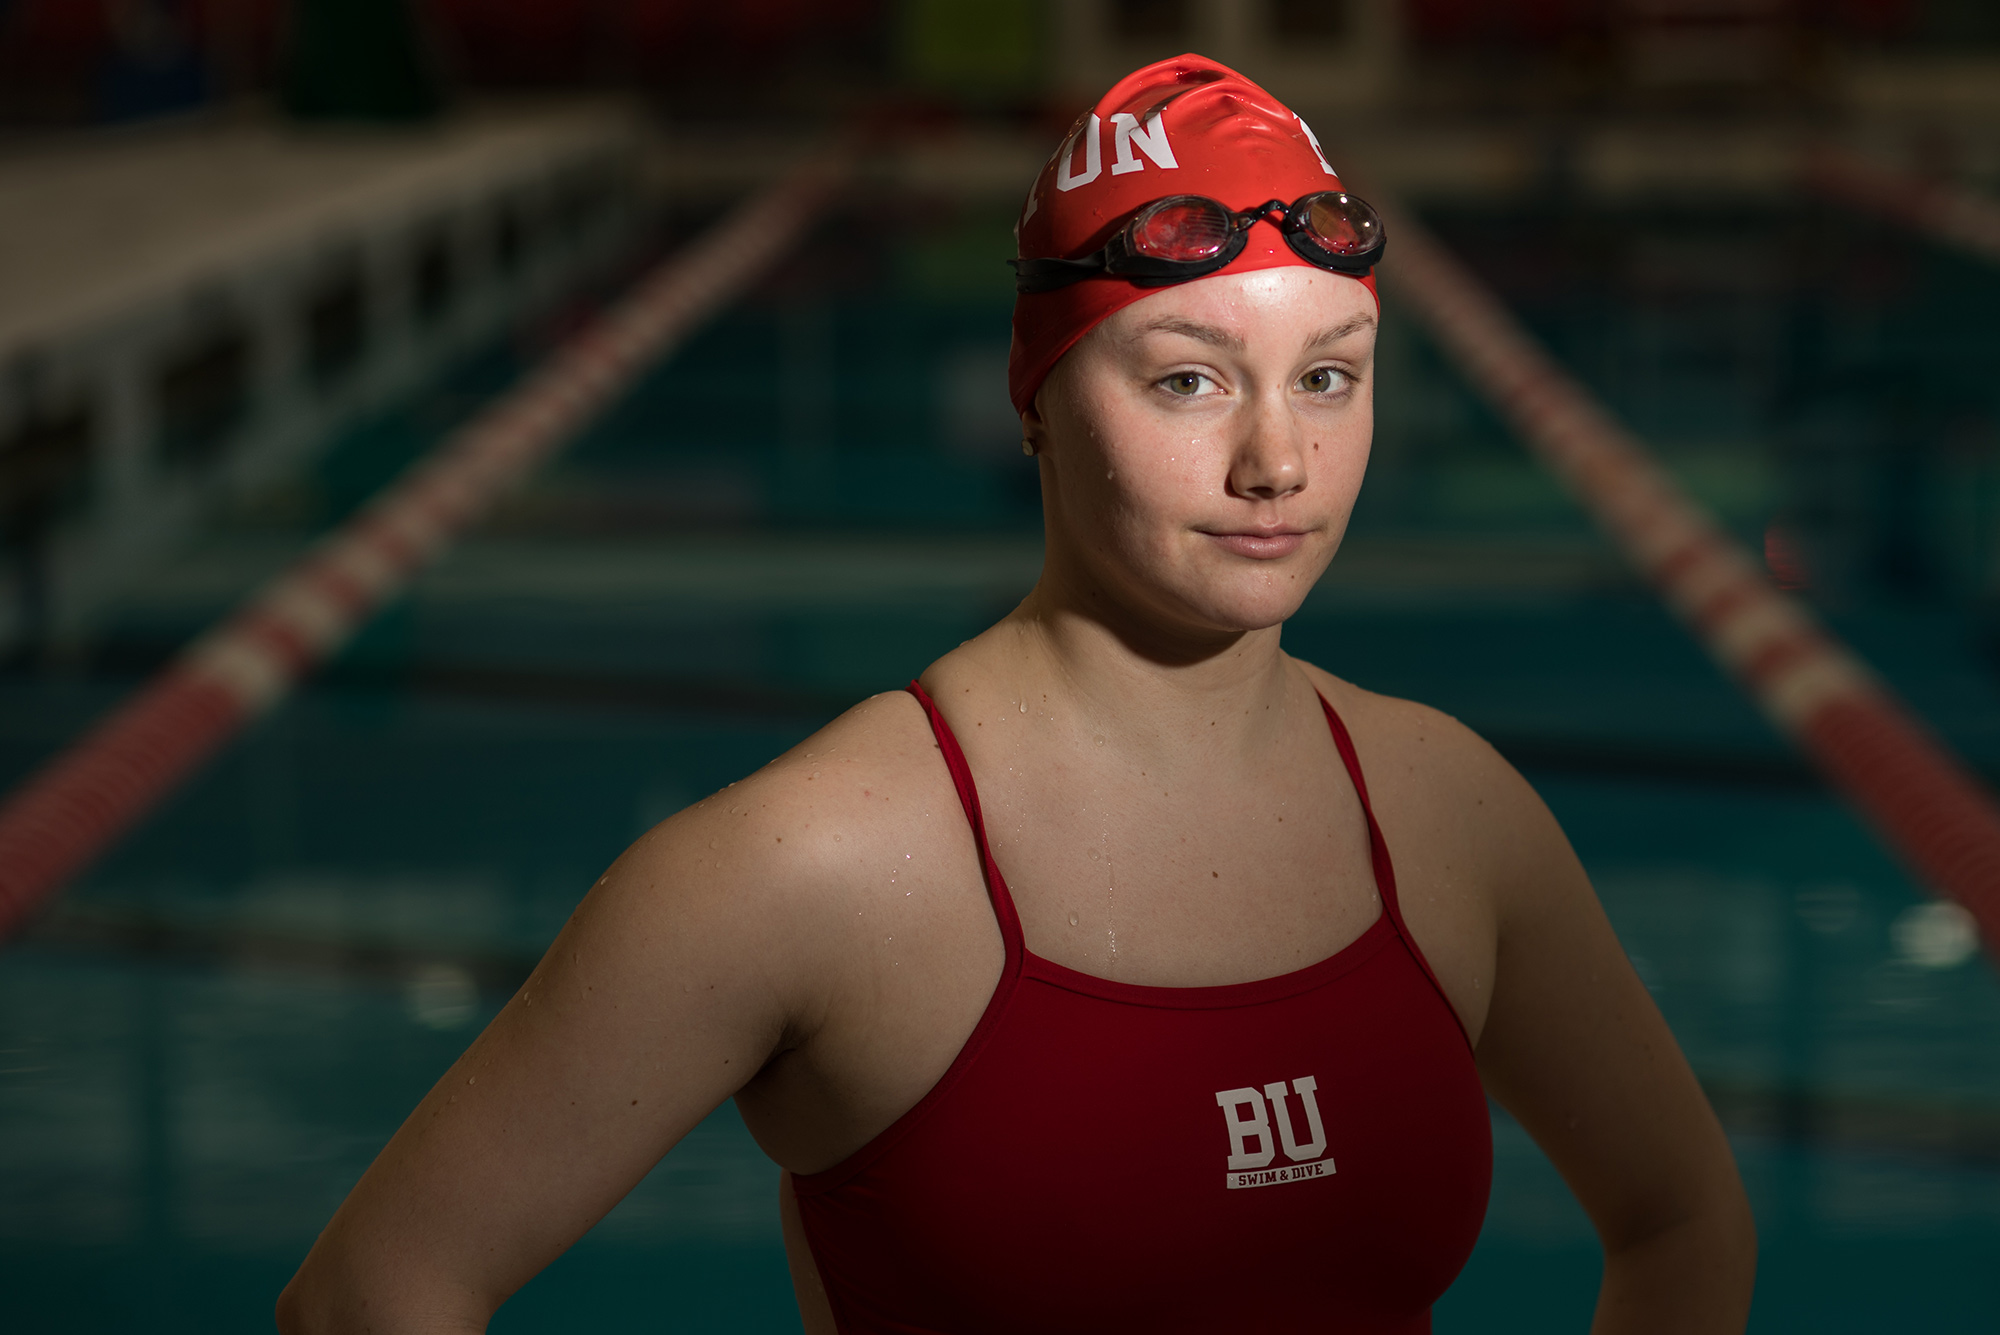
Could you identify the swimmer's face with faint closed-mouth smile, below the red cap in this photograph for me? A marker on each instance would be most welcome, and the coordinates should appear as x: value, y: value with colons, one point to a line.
x: 1203, y: 449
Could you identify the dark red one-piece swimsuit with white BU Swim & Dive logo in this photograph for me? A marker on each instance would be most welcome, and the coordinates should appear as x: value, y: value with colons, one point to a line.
x: 1299, y: 1154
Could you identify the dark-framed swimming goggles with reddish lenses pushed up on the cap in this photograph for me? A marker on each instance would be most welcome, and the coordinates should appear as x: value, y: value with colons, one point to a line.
x: 1191, y: 237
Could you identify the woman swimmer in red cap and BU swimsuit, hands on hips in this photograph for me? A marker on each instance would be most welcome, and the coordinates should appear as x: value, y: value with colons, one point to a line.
x: 1077, y: 990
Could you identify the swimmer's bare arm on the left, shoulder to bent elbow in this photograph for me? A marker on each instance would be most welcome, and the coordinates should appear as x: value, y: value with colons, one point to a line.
x: 711, y: 946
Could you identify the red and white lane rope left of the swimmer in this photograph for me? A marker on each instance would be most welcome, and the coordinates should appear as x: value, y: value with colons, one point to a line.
x: 81, y: 802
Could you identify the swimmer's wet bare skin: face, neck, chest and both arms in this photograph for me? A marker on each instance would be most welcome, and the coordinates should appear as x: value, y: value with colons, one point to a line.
x: 1167, y: 806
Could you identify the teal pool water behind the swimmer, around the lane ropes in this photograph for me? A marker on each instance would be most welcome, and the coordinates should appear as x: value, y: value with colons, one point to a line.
x: 211, y: 1036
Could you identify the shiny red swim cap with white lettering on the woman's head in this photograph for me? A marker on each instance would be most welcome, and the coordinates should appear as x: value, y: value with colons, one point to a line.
x: 1177, y: 127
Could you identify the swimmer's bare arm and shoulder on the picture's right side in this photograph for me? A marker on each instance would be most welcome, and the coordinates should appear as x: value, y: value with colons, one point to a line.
x: 1567, y: 1036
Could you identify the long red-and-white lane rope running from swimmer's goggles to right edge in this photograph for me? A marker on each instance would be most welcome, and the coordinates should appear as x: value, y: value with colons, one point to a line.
x: 1903, y: 780
